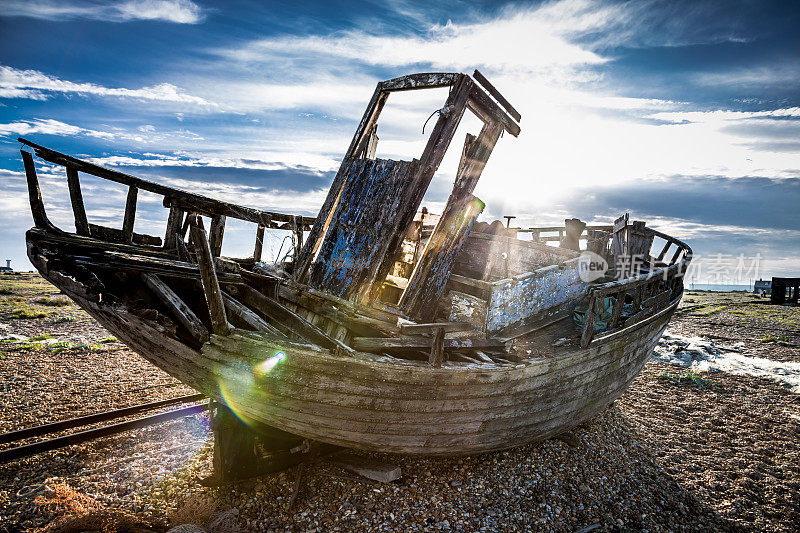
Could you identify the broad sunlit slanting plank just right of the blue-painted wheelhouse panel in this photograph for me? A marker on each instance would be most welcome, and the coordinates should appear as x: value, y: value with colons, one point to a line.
x: 429, y: 278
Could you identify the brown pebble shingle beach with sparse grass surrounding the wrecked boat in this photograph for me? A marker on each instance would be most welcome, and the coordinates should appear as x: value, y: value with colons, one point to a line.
x: 679, y: 451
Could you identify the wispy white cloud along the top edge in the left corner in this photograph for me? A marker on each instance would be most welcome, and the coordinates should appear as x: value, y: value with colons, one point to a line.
x: 177, y: 11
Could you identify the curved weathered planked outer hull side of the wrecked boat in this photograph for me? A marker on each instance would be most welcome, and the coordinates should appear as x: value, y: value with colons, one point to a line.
x: 367, y: 404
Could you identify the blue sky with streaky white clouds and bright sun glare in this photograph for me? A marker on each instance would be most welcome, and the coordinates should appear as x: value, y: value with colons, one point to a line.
x: 685, y: 114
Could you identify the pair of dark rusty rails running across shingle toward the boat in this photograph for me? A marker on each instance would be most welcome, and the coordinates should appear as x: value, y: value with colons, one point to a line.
x: 26, y: 450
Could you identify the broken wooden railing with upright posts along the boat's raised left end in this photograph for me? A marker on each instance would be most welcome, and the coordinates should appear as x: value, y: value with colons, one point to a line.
x: 181, y: 204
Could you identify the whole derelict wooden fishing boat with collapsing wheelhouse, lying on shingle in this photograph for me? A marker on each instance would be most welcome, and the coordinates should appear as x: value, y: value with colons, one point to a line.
x: 388, y: 328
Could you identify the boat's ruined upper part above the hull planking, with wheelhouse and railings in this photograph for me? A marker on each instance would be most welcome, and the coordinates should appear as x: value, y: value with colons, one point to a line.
x: 373, y: 272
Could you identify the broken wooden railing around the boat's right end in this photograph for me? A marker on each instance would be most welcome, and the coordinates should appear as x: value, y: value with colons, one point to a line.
x: 649, y: 292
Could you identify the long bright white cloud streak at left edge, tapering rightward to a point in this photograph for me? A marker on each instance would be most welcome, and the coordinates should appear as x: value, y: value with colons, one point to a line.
x: 16, y: 83
